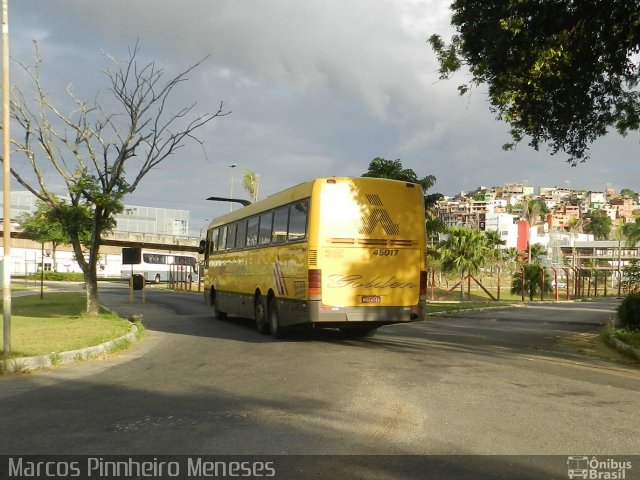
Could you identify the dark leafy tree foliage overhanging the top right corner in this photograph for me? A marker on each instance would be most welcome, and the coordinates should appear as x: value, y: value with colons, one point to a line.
x: 561, y: 73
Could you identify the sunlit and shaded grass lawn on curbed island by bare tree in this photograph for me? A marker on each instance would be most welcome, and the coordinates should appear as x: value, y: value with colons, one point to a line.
x: 57, y: 323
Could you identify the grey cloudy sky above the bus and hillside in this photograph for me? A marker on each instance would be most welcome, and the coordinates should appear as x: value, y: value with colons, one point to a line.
x: 316, y: 88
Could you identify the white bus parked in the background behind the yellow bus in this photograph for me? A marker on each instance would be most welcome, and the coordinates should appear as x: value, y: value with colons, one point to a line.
x: 158, y: 267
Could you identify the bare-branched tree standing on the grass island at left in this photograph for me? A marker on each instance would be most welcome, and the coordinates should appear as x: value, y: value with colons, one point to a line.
x: 100, y: 154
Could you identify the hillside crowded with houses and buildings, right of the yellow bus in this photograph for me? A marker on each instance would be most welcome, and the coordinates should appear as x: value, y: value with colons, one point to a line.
x: 584, y: 225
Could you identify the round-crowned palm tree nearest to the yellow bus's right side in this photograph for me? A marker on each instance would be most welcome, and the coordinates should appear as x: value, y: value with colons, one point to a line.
x: 464, y: 250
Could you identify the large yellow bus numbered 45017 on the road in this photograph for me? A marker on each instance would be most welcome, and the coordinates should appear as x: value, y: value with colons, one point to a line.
x: 345, y: 253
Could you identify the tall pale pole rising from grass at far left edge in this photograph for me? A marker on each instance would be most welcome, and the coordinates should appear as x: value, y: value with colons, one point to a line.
x: 6, y: 206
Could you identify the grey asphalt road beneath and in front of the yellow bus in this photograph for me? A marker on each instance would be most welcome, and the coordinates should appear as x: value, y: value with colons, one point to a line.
x: 512, y: 381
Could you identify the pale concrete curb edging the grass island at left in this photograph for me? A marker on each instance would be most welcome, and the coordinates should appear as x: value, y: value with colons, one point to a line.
x: 54, y: 359
